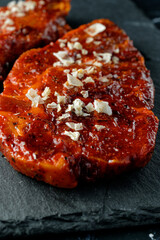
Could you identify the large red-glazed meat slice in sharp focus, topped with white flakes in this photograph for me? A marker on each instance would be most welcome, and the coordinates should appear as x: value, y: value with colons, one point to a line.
x: 79, y: 109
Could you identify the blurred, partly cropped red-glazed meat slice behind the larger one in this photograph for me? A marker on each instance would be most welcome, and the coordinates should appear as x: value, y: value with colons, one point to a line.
x: 29, y: 24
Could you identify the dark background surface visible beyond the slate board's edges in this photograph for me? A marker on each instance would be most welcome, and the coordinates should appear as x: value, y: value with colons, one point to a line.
x: 152, y: 9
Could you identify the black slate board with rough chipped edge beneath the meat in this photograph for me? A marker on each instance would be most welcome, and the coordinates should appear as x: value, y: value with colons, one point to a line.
x: 30, y: 207
